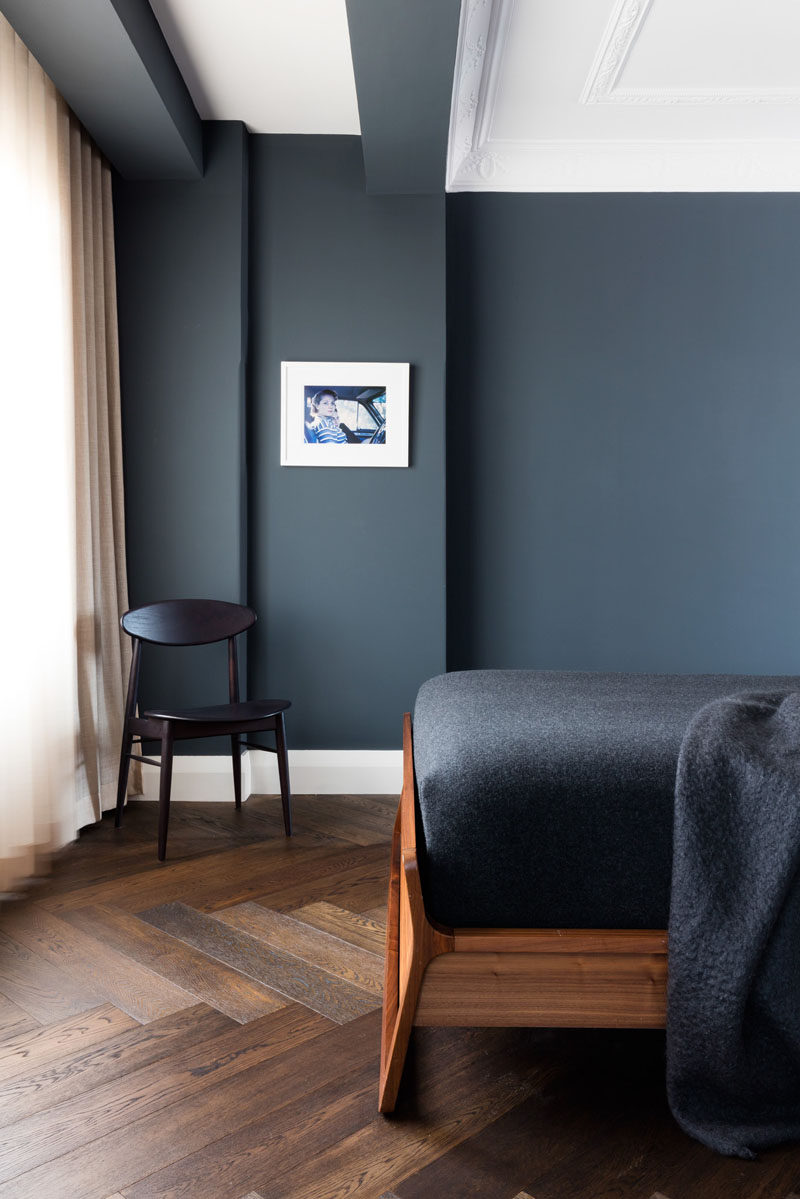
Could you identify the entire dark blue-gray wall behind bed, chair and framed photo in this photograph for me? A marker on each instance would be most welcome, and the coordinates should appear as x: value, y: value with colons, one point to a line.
x: 623, y: 423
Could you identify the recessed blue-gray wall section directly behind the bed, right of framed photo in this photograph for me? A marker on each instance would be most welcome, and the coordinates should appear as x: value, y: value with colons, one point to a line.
x: 624, y: 425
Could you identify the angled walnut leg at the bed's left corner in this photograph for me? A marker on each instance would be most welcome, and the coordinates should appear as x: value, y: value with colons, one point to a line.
x: 412, y: 942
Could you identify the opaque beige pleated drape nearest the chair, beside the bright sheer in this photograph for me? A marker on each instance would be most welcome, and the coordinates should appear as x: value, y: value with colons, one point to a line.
x: 104, y: 650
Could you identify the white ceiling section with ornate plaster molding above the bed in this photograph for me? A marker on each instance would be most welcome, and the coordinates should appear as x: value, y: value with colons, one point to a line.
x: 542, y: 104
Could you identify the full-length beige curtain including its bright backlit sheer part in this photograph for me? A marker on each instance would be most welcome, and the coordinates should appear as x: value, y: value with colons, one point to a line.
x: 62, y: 519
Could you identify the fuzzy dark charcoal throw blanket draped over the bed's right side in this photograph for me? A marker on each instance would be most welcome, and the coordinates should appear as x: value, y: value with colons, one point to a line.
x: 733, y: 1026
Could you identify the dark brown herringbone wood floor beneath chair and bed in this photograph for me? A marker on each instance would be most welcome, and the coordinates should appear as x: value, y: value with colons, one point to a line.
x: 208, y: 1028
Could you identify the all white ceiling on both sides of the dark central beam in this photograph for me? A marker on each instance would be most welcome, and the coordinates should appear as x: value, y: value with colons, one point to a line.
x: 549, y: 95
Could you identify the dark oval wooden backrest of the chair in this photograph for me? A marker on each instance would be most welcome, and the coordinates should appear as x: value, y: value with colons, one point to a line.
x: 188, y: 622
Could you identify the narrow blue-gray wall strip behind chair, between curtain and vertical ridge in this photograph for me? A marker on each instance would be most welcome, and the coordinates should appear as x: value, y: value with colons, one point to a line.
x: 182, y: 262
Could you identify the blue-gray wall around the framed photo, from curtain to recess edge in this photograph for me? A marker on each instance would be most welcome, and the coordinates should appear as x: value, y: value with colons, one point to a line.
x: 347, y: 567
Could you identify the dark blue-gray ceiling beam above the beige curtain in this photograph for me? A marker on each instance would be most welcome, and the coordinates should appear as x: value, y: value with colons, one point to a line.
x: 112, y: 65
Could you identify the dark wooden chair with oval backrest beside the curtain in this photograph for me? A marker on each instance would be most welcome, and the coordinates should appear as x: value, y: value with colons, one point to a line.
x: 196, y: 623
